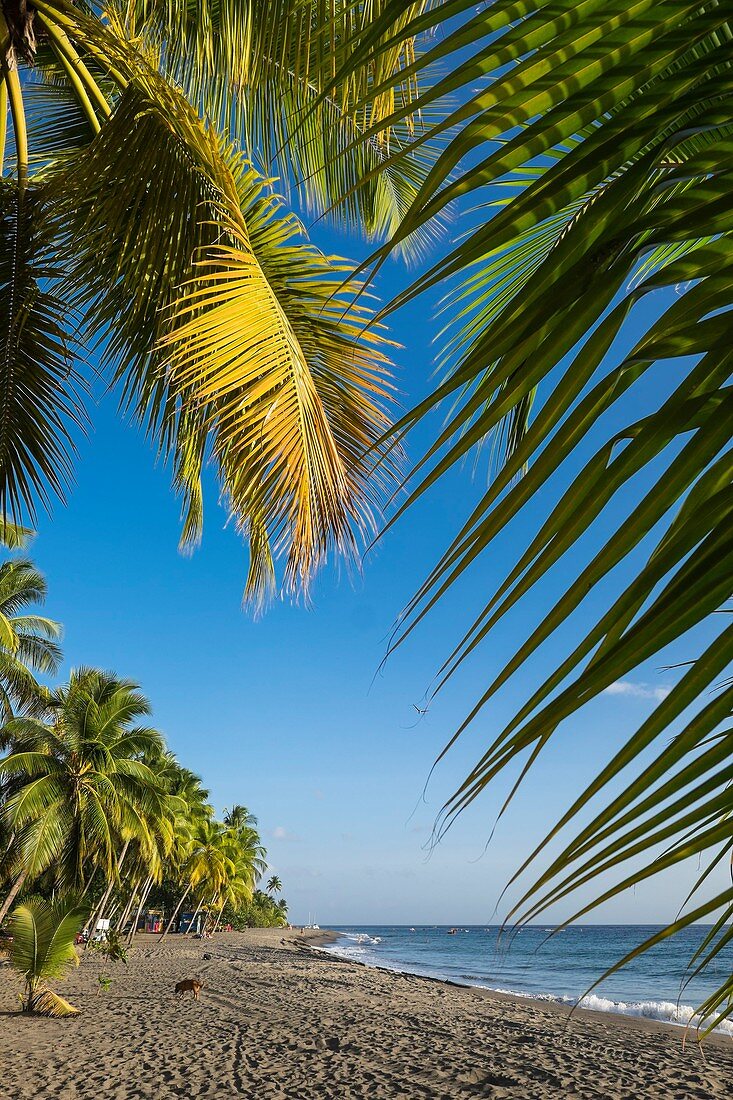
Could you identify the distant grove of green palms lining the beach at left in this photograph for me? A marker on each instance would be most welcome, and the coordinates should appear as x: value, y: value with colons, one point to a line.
x: 95, y: 808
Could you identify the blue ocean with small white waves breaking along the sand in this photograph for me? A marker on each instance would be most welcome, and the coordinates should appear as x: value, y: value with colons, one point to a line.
x: 559, y: 969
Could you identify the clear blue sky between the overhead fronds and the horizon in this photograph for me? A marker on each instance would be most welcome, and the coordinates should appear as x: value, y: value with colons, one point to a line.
x: 290, y: 714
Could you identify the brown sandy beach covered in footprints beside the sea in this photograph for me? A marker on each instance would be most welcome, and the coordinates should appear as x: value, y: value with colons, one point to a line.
x: 279, y: 1020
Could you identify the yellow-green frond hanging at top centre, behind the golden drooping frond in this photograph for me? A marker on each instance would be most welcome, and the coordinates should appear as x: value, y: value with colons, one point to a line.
x: 261, y: 71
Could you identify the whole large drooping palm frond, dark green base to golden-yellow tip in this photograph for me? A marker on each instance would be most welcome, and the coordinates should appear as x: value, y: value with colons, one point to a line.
x: 258, y: 360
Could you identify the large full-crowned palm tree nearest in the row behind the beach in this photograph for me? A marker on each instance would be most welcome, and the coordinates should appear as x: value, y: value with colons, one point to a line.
x: 81, y: 789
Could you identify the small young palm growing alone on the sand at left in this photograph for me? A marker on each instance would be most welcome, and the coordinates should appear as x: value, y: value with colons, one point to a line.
x: 42, y: 949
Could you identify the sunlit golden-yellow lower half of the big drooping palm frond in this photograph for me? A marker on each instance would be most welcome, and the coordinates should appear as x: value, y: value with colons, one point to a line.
x: 270, y: 355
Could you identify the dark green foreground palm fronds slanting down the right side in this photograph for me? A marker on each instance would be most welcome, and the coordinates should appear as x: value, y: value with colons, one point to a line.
x: 595, y: 148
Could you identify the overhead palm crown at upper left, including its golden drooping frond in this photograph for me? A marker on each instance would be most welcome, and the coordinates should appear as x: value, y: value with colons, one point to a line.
x: 135, y: 212
